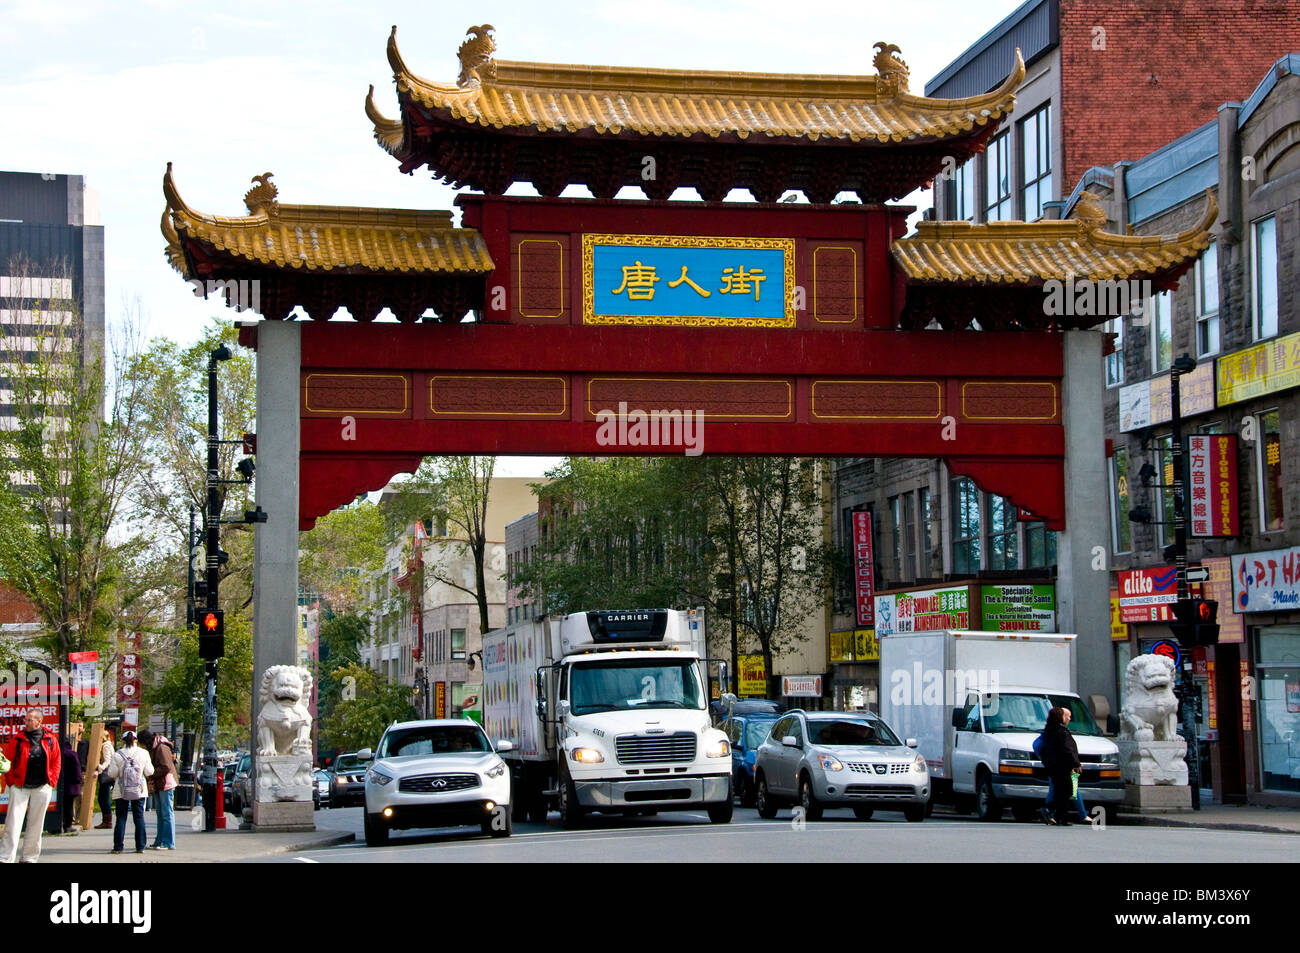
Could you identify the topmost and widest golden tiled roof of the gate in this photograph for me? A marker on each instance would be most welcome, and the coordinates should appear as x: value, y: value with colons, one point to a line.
x: 613, y: 101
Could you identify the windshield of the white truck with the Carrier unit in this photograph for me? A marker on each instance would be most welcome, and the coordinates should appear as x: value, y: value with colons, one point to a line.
x: 635, y: 685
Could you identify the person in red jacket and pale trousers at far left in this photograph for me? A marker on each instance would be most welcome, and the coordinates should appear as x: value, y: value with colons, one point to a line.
x: 36, y: 763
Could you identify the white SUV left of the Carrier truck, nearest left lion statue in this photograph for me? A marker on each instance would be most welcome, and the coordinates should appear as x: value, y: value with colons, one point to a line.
x: 436, y: 774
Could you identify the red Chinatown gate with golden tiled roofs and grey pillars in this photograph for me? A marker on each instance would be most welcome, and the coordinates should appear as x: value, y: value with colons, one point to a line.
x: 803, y: 330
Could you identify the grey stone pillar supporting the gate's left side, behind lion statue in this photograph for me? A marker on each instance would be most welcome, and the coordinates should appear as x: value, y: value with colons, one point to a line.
x: 275, y: 631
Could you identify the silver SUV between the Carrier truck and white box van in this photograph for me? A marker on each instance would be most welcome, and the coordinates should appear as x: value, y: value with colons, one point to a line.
x: 822, y: 760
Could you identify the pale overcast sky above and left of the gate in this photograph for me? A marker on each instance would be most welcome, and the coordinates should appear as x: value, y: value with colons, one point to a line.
x: 115, y: 90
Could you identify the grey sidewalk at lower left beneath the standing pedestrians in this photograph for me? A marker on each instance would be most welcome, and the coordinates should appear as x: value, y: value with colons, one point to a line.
x: 193, y: 847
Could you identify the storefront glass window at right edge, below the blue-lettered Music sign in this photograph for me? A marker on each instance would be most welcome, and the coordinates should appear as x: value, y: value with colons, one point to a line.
x: 1277, y: 666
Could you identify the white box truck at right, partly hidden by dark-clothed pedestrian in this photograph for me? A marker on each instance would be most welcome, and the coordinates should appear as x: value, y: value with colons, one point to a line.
x: 976, y: 703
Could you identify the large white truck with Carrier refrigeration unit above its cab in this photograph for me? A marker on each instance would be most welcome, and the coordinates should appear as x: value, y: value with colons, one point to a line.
x: 608, y: 712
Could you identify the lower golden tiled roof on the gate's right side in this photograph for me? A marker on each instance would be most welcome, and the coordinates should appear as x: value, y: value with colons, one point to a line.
x: 1030, y: 254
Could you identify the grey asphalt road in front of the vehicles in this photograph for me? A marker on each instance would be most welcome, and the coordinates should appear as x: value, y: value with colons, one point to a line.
x: 839, y: 838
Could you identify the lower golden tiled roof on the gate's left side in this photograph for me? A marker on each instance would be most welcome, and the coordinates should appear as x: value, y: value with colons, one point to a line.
x: 326, y: 237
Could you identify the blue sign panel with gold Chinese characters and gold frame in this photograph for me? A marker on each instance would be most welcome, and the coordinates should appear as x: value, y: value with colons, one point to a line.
x: 687, y: 280
